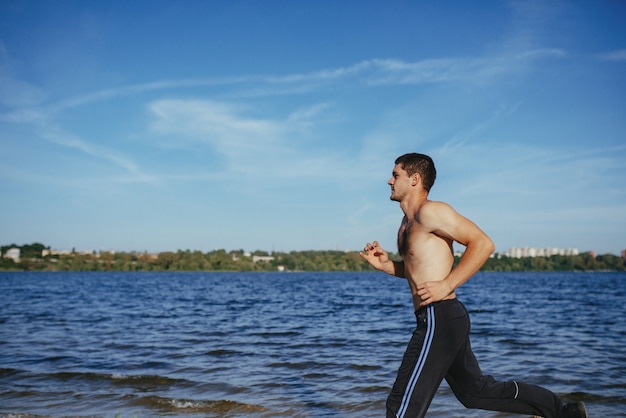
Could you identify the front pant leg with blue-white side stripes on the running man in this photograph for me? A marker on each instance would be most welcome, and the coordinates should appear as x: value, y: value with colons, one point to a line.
x: 441, y: 329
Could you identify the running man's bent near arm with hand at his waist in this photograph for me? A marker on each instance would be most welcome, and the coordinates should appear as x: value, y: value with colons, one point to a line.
x: 443, y: 220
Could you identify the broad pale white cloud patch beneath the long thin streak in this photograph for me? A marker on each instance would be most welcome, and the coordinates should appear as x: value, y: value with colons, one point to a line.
x: 247, y: 144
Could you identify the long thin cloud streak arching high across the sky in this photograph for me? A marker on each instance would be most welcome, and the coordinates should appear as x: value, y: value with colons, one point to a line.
x: 368, y: 72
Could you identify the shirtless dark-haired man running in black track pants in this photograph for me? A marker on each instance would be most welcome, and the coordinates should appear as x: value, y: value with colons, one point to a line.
x: 440, y: 346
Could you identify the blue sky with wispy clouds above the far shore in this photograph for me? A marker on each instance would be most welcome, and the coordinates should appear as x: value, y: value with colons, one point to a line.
x: 273, y: 125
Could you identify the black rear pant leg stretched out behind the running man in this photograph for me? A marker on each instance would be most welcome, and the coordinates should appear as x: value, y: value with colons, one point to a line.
x: 479, y: 391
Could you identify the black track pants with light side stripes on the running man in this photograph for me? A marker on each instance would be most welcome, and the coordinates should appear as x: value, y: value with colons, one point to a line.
x: 440, y: 348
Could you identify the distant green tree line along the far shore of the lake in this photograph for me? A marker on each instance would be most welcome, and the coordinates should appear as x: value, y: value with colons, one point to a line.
x: 31, y: 259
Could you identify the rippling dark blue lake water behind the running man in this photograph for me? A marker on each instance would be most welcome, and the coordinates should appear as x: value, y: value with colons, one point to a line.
x: 289, y: 344
